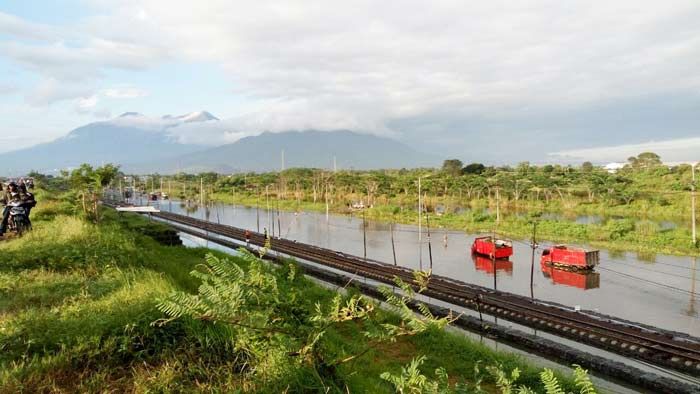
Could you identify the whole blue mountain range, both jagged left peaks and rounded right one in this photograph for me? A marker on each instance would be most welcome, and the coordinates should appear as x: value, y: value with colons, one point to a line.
x: 144, y: 144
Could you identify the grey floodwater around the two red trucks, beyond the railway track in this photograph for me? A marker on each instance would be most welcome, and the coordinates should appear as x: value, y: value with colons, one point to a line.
x: 659, y: 290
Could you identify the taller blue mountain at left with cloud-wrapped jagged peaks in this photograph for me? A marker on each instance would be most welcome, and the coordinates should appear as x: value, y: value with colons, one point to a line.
x: 129, y: 138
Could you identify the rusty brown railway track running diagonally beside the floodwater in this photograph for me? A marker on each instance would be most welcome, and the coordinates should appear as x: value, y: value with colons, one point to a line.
x: 653, y: 346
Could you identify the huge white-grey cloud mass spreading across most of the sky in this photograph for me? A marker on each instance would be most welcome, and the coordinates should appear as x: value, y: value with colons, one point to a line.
x: 363, y: 64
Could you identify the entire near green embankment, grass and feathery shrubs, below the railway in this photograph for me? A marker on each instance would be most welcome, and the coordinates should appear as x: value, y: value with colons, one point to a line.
x: 95, y: 302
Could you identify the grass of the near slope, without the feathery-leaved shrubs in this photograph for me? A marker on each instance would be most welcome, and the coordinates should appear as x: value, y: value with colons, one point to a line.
x: 76, y: 307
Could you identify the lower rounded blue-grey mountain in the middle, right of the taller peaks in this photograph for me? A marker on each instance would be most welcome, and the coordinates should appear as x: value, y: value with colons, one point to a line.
x: 301, y: 149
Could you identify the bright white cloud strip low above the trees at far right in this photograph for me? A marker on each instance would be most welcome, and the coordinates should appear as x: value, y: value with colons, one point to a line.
x: 675, y: 150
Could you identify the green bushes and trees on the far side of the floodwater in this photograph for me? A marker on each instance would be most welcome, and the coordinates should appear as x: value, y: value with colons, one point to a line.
x: 644, y: 207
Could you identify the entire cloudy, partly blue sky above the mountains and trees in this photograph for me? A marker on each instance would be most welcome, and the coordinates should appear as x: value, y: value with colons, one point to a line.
x: 495, y: 82
